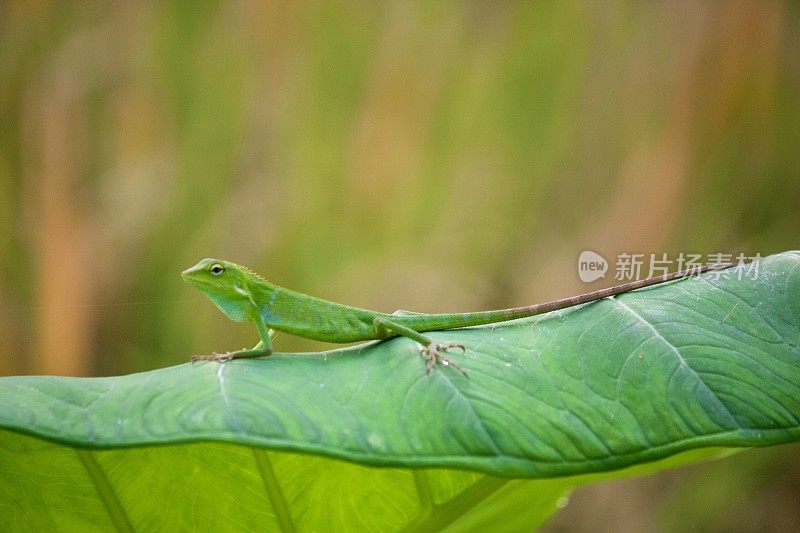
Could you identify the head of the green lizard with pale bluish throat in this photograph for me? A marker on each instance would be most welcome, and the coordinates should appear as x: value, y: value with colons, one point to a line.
x: 227, y: 284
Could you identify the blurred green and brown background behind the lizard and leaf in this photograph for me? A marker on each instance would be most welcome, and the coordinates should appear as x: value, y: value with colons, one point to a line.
x: 433, y: 156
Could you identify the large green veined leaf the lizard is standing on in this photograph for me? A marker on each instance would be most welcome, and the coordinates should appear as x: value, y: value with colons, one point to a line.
x: 707, y: 361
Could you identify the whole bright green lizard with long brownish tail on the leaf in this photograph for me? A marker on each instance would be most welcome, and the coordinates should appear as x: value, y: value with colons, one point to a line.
x: 243, y: 296
